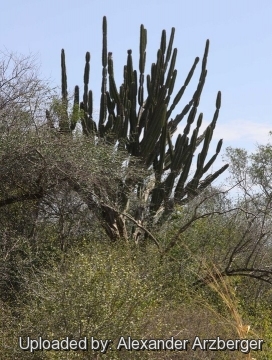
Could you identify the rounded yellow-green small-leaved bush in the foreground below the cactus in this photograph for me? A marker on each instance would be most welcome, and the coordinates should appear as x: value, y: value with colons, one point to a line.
x: 118, y: 290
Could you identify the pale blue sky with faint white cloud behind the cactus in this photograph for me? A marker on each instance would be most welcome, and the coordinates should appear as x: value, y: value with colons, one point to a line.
x: 239, y: 62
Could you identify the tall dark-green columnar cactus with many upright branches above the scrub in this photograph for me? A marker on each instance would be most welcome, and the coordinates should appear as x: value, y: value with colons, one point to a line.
x: 145, y: 126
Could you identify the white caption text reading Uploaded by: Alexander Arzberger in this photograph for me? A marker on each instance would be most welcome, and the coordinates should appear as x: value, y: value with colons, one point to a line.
x: 130, y: 344
